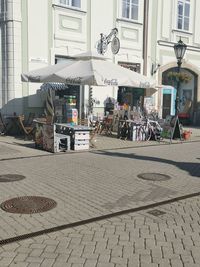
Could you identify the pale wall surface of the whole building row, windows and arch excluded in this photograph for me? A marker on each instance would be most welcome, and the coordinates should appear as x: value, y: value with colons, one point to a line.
x: 37, y: 31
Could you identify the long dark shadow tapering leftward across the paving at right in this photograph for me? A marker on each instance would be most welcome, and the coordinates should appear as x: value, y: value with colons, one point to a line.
x: 191, y: 167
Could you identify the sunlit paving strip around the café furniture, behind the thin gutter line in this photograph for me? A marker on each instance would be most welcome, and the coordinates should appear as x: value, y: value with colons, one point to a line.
x: 12, y: 147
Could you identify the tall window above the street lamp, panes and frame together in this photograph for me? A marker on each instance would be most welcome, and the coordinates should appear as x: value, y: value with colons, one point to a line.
x: 183, y: 15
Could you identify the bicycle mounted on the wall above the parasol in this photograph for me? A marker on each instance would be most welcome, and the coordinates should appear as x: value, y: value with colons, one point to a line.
x: 102, y: 44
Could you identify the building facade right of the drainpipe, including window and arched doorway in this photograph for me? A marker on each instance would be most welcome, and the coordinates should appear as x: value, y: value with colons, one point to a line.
x: 170, y: 21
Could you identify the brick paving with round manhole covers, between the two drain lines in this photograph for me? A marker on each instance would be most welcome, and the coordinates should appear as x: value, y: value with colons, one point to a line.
x: 92, y: 184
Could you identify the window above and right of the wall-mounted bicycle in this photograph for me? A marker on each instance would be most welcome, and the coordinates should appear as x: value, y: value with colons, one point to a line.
x: 130, y: 9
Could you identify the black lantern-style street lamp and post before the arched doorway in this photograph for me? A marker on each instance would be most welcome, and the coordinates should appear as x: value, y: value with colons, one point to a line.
x: 179, y: 50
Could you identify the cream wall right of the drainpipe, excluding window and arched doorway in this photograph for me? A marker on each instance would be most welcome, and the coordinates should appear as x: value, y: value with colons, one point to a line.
x: 164, y: 16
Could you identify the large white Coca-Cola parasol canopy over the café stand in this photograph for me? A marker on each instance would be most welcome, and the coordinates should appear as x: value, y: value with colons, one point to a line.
x: 89, y: 69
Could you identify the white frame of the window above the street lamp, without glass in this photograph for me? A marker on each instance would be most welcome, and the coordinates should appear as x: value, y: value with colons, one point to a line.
x: 183, y: 17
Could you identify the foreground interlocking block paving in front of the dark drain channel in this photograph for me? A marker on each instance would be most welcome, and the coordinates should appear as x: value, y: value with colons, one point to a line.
x: 139, y: 239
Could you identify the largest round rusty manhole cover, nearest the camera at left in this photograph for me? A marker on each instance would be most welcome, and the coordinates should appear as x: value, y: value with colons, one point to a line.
x: 28, y: 204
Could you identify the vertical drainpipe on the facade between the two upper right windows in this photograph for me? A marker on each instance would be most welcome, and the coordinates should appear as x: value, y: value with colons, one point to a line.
x: 145, y: 35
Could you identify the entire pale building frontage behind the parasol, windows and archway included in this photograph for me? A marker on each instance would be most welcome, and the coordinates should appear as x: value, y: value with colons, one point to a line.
x: 37, y: 33
